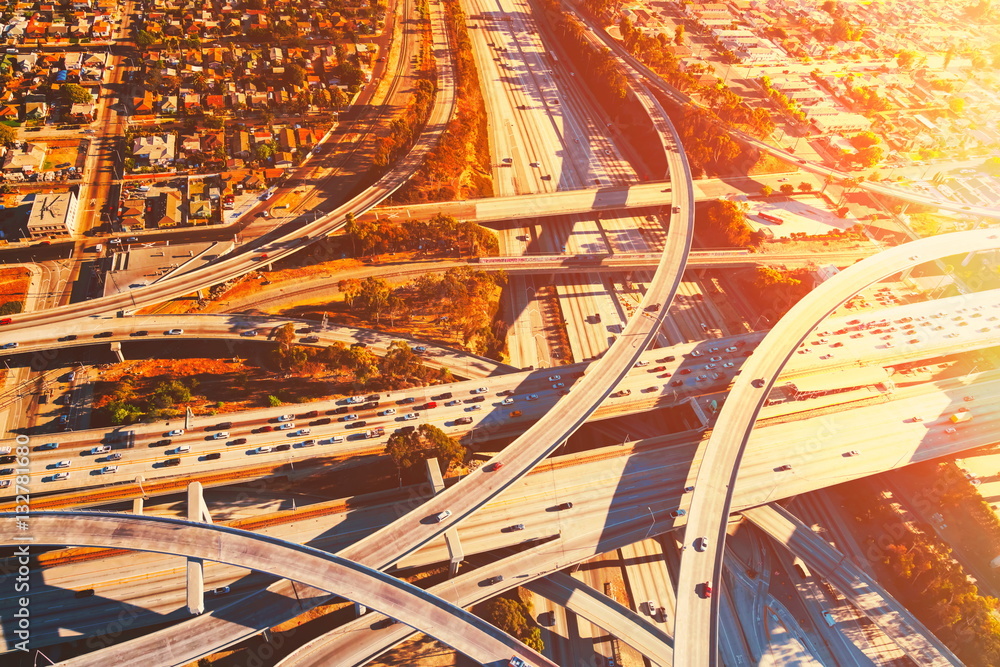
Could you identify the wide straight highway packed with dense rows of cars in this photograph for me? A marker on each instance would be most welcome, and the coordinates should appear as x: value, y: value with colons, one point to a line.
x: 833, y: 365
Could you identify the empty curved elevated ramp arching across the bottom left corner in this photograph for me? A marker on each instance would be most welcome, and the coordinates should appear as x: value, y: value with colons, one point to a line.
x: 452, y: 625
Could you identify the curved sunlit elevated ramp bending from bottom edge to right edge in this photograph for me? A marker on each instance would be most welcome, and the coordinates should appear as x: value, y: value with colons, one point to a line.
x: 696, y: 626
